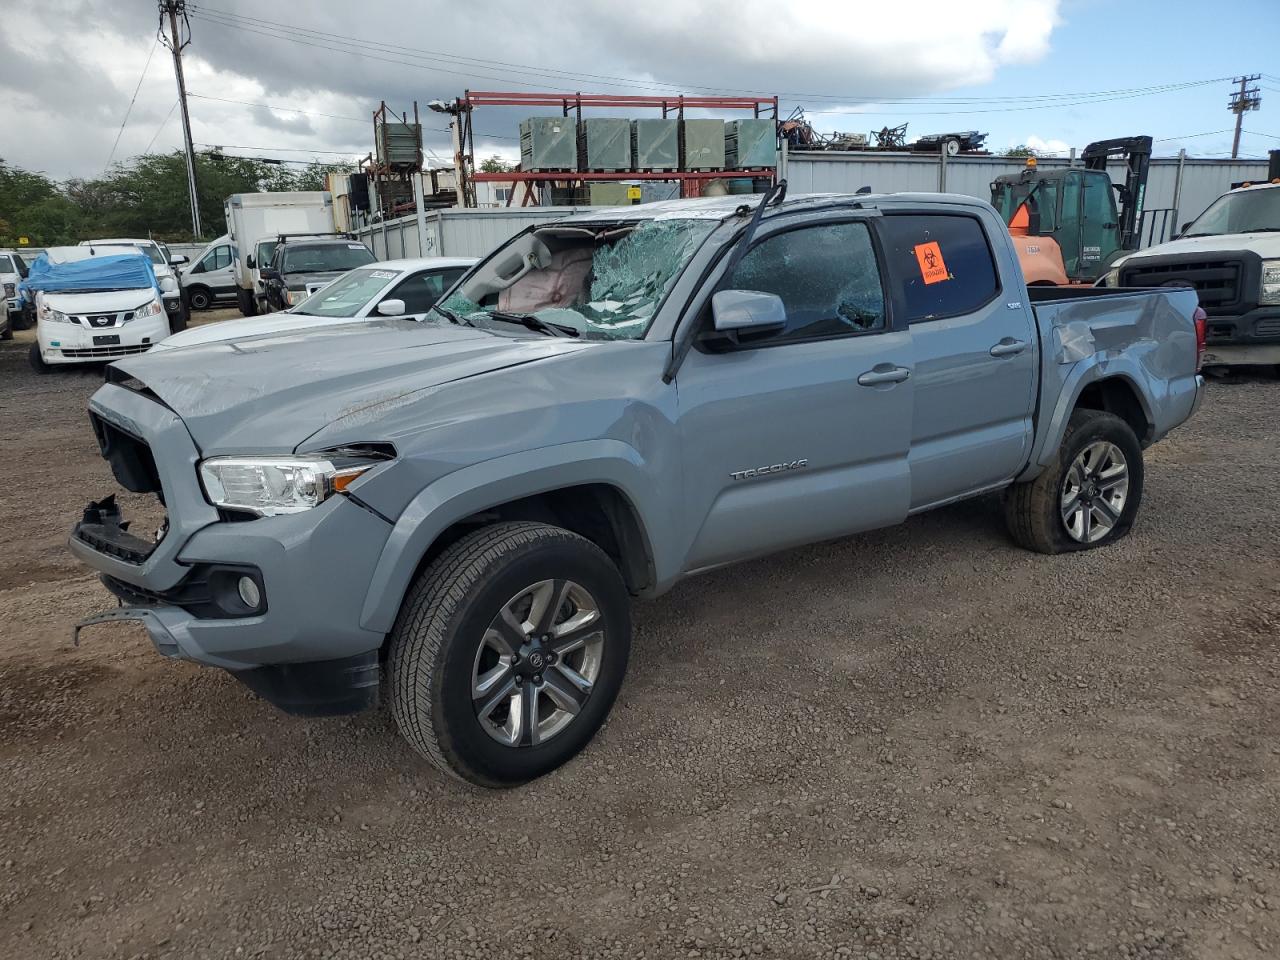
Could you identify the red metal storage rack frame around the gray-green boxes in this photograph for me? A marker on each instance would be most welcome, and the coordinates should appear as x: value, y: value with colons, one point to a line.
x: 573, y: 104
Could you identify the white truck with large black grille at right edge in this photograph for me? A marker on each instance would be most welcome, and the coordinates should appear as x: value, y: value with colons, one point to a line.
x: 1231, y: 254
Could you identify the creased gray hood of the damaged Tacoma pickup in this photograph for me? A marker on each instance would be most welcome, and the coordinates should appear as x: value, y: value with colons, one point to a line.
x: 268, y: 395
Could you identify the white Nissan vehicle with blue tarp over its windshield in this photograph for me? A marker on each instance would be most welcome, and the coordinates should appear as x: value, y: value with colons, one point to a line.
x: 94, y: 304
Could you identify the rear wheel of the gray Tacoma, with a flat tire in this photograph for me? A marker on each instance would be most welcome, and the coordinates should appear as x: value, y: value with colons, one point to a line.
x: 1089, y: 496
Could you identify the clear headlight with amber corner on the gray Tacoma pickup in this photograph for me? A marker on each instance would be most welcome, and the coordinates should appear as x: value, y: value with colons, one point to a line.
x: 273, y: 486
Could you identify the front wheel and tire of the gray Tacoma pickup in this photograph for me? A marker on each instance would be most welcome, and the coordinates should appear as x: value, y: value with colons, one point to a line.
x: 509, y: 652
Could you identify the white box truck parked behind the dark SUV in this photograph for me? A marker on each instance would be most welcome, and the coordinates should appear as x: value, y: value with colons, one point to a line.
x: 254, y: 221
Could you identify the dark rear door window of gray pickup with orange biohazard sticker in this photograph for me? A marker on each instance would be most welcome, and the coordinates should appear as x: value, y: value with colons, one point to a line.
x: 940, y: 266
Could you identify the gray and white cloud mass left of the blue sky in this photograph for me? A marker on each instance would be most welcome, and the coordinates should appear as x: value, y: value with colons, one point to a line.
x: 68, y: 67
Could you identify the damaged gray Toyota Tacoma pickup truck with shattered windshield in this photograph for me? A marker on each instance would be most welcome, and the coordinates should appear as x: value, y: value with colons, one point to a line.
x: 606, y: 405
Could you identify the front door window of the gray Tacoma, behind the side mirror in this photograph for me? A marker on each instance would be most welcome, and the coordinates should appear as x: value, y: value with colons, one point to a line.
x: 828, y: 278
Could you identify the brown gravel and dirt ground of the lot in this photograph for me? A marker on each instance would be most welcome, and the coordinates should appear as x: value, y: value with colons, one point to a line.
x: 920, y: 743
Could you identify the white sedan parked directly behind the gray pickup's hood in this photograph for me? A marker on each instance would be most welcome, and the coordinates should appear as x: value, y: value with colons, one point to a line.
x: 403, y: 290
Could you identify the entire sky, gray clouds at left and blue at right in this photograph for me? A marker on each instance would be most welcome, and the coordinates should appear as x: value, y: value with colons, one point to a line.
x: 300, y: 80
